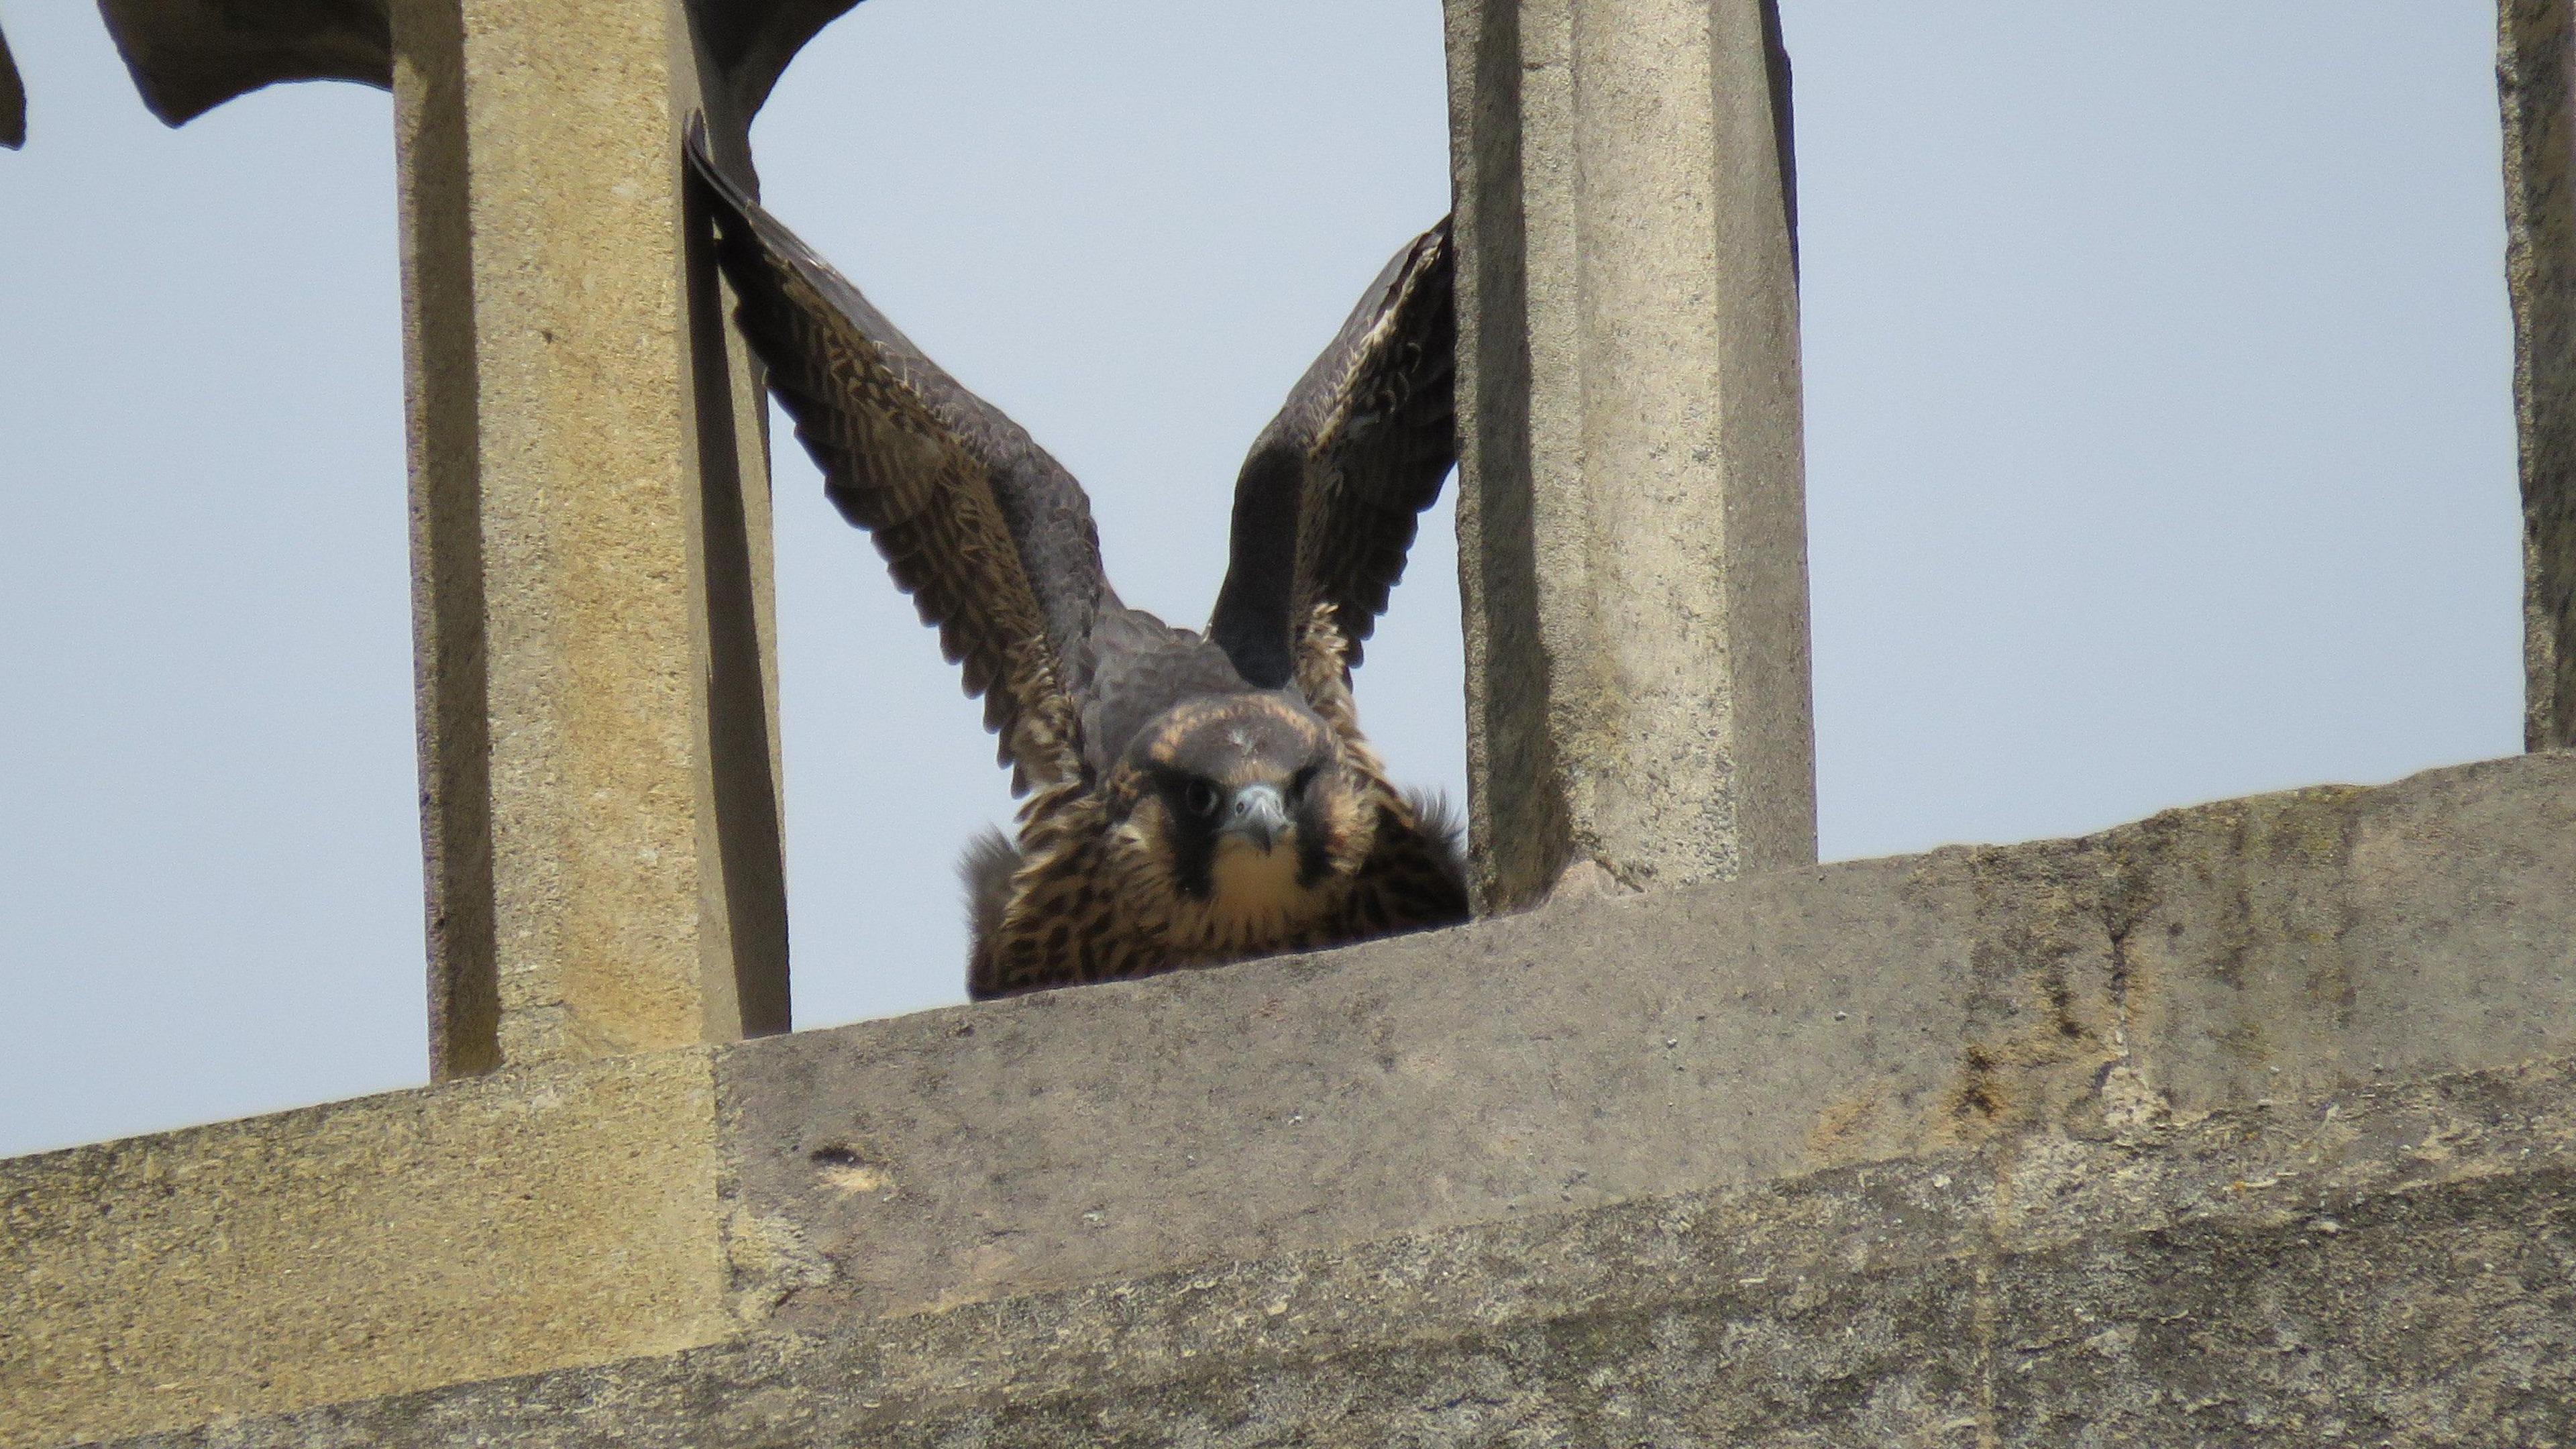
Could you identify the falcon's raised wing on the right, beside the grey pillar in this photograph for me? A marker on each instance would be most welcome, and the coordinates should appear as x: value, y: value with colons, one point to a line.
x: 1328, y: 501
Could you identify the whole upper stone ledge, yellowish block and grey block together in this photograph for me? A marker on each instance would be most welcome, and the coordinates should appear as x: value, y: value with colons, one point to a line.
x: 2065, y: 991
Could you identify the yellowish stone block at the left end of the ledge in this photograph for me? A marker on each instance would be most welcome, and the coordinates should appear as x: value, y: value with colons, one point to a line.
x: 359, y: 1249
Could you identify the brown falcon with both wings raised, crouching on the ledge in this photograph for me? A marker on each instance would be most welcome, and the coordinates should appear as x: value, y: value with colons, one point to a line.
x: 1191, y: 798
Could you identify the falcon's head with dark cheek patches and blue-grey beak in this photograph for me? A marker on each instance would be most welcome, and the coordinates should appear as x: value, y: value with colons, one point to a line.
x: 1248, y: 806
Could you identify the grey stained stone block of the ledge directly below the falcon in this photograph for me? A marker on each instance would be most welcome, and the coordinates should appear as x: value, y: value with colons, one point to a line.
x: 1647, y: 1045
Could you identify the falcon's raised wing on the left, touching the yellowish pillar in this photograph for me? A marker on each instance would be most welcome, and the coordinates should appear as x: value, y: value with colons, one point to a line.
x: 988, y: 535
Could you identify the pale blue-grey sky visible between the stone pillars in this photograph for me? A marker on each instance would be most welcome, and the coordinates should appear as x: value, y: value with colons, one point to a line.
x: 2160, y: 450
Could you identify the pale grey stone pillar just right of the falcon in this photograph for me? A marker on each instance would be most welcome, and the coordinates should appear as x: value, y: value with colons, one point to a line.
x: 1632, y: 509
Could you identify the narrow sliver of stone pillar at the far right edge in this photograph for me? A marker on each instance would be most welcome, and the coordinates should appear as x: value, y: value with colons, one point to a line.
x: 2533, y: 50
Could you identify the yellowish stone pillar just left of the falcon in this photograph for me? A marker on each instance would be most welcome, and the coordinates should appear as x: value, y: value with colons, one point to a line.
x: 599, y: 715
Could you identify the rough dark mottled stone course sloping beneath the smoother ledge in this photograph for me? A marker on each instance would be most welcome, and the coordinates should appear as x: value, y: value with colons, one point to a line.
x: 2379, y: 1267
